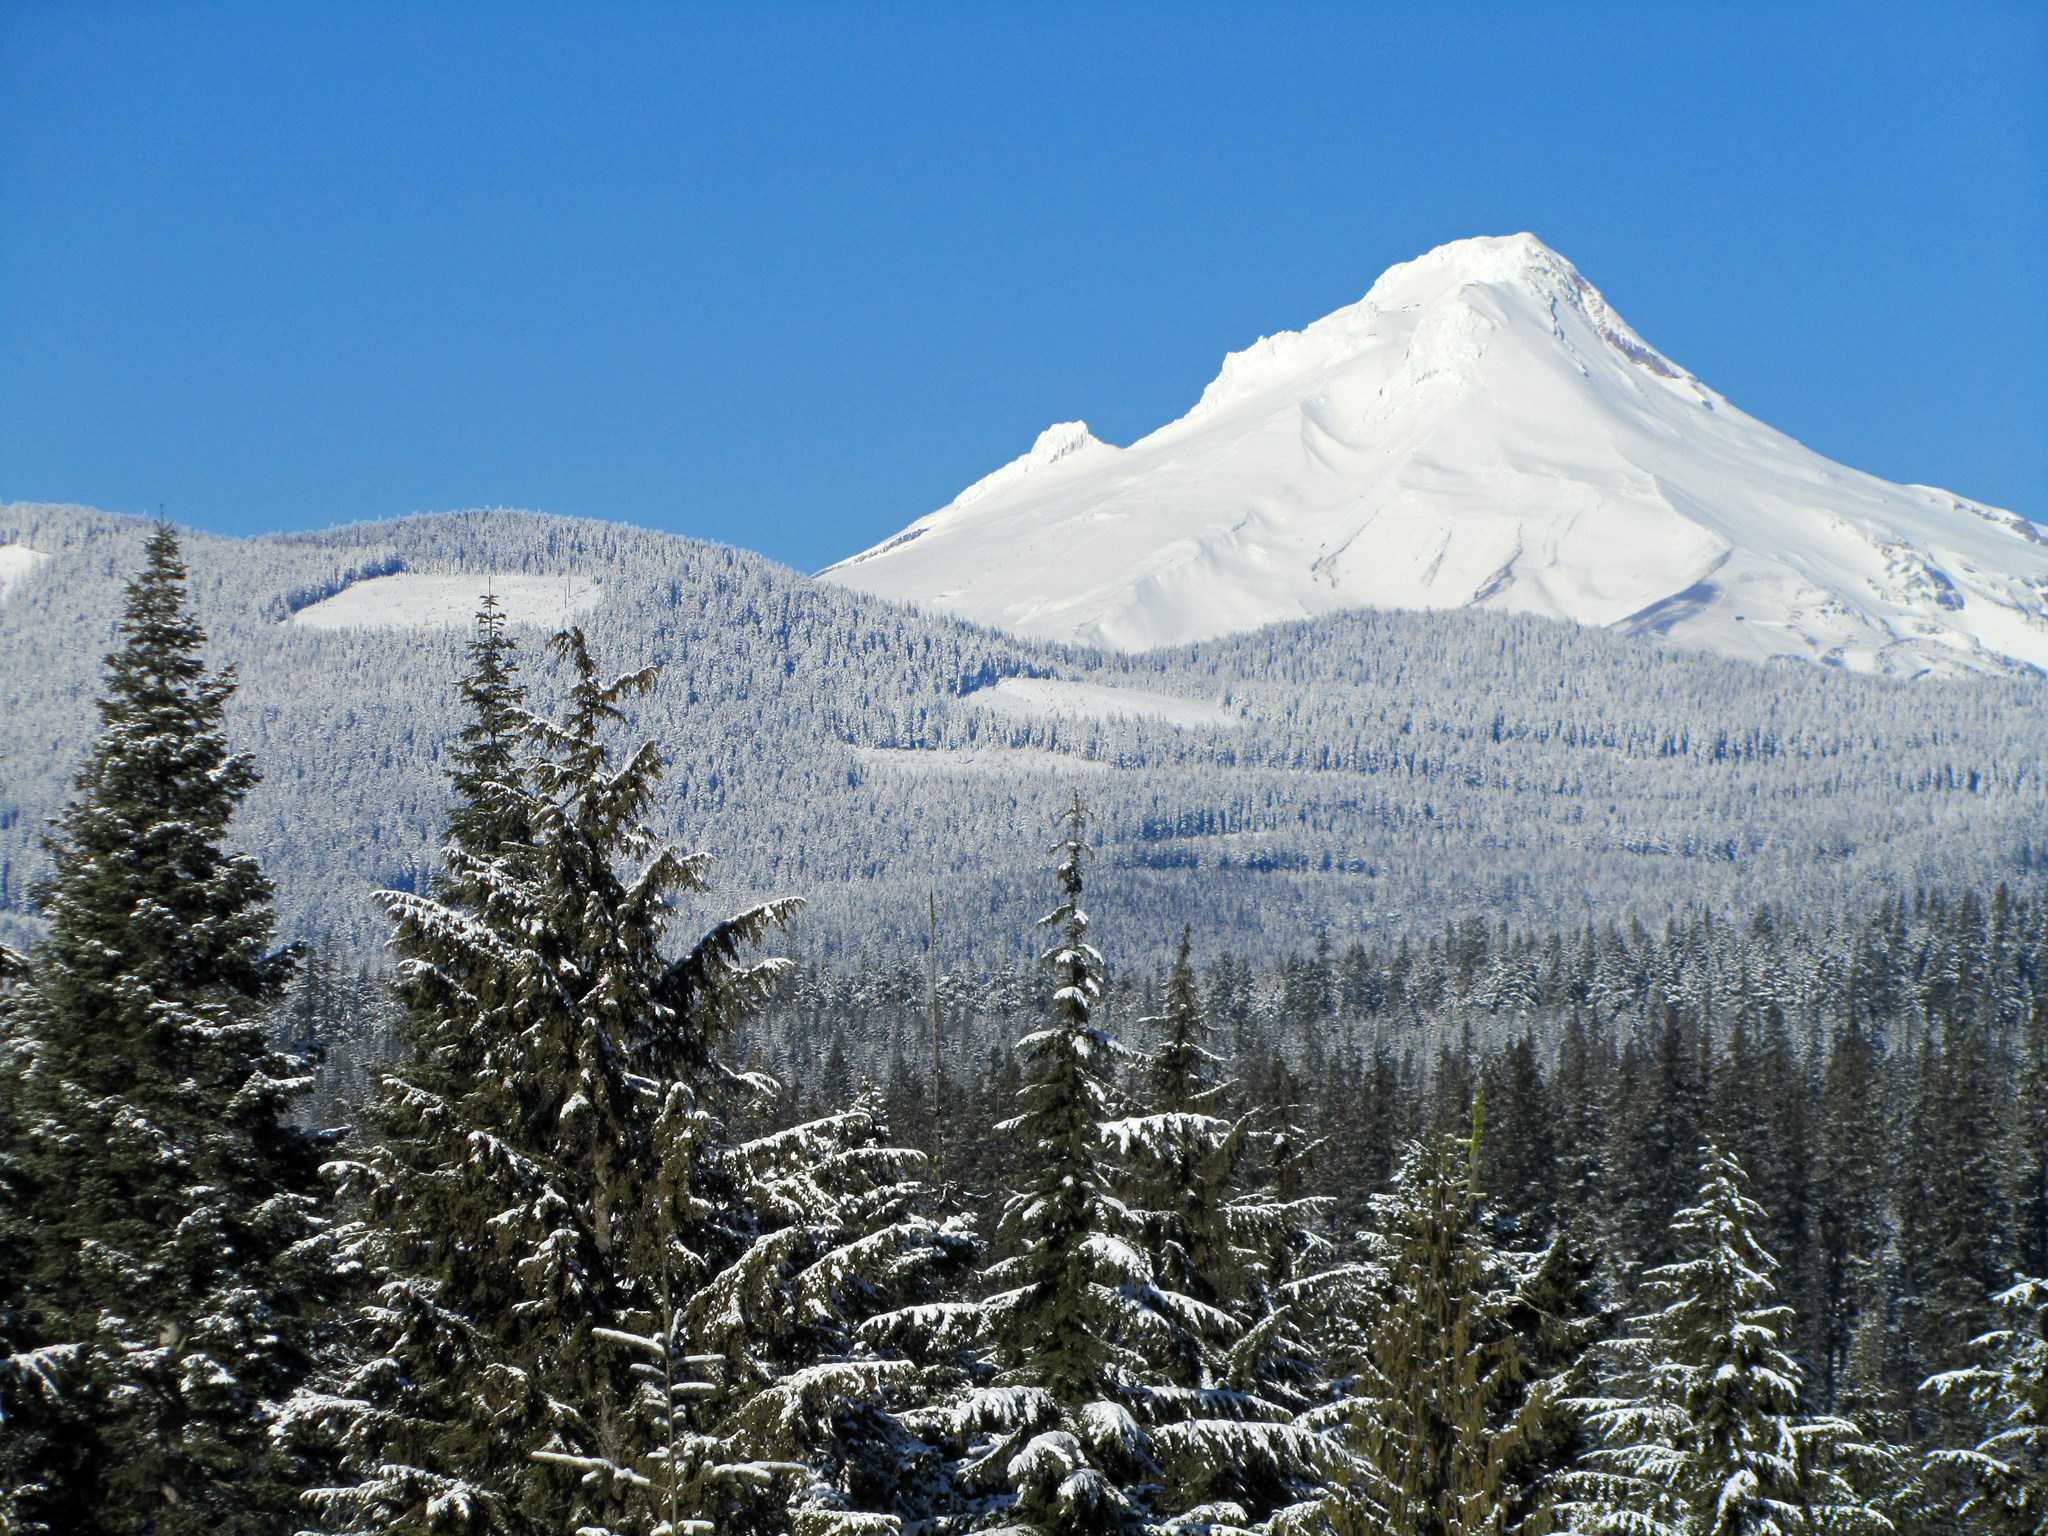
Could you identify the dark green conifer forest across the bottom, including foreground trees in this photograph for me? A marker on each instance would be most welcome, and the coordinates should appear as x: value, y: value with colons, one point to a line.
x: 570, y: 1211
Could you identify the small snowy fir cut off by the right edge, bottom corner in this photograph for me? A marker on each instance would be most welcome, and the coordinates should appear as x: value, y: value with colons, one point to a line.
x: 2008, y: 1469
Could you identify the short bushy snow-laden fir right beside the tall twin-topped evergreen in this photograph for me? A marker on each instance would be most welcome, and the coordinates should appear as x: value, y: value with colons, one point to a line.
x: 828, y: 1320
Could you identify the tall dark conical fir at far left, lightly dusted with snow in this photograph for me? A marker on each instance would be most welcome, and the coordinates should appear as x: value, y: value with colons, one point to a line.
x: 167, y: 1218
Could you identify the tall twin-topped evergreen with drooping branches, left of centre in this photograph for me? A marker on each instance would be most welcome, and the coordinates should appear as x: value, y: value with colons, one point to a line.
x: 536, y: 1193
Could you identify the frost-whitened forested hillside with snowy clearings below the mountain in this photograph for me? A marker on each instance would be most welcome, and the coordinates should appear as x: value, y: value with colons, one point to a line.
x: 1385, y: 773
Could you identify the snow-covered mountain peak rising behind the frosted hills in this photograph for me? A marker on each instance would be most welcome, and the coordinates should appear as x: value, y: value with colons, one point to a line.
x: 1480, y: 431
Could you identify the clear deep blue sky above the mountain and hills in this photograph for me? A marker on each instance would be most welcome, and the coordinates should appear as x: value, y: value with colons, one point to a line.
x: 794, y: 275
